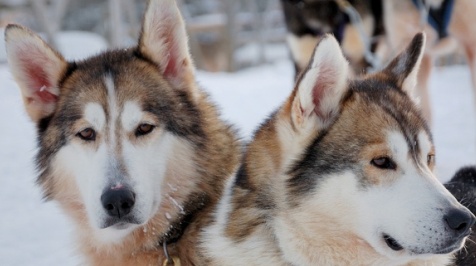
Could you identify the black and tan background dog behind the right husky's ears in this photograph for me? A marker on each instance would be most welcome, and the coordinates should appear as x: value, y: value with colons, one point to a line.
x: 308, y: 20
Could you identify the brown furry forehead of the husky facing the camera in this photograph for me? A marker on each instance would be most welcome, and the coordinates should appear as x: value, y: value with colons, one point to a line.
x: 111, y: 80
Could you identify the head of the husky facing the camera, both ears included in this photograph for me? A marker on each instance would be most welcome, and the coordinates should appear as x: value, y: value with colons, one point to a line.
x: 110, y: 128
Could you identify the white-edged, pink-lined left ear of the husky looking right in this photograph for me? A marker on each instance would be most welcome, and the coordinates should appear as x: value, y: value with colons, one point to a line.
x: 322, y: 86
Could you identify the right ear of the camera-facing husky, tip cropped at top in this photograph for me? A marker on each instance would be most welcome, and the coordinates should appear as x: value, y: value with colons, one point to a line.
x: 164, y: 40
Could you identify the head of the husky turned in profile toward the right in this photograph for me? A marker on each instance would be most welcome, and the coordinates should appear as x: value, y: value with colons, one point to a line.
x: 358, y: 157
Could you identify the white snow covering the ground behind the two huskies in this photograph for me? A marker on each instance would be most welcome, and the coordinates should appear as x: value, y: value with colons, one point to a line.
x: 33, y: 232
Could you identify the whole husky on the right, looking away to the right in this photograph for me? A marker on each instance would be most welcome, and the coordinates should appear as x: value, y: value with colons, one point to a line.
x: 340, y: 174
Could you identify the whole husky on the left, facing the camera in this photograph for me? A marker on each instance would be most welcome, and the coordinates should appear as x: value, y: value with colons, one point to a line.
x: 129, y: 146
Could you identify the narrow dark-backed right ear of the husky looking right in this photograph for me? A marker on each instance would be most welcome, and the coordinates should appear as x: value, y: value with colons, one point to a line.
x: 404, y: 68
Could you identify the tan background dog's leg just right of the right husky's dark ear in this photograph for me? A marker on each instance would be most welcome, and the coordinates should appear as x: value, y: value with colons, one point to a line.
x: 421, y: 91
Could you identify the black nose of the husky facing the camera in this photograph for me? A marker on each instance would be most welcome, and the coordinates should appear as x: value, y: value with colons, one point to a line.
x: 118, y: 203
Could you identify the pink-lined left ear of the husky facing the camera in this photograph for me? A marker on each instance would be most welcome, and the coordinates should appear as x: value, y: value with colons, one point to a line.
x: 37, y: 69
